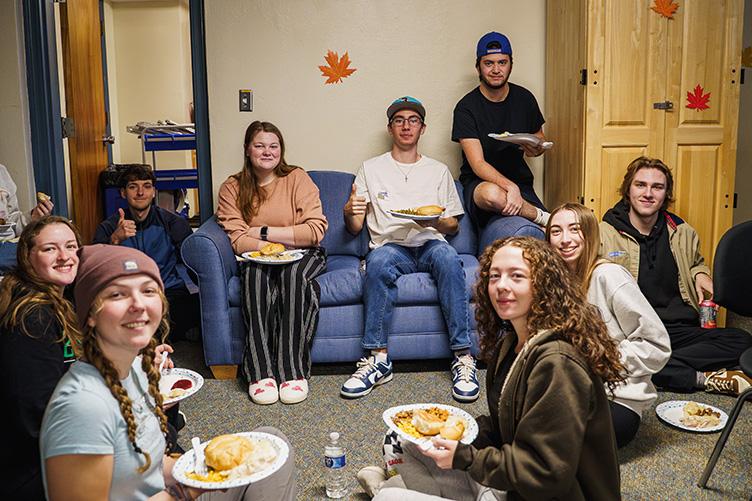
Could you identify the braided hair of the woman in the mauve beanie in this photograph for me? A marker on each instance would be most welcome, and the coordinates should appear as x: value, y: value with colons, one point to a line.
x: 93, y: 354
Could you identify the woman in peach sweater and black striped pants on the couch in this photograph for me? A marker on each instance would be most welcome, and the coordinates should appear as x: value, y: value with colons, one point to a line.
x: 269, y: 201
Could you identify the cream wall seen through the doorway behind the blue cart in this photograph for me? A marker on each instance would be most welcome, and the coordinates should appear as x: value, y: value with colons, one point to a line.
x: 149, y: 72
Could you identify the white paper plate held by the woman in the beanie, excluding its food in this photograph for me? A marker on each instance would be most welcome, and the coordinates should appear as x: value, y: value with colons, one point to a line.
x: 186, y: 464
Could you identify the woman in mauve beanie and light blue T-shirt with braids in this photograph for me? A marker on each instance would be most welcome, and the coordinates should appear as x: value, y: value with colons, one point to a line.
x: 103, y: 433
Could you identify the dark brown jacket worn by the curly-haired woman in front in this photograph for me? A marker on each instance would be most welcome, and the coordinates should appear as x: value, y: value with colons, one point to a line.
x: 557, y: 440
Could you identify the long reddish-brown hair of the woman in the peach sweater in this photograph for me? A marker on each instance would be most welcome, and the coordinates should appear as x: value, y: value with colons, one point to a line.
x: 250, y: 194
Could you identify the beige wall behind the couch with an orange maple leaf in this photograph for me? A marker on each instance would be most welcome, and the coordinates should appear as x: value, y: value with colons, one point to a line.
x: 422, y: 48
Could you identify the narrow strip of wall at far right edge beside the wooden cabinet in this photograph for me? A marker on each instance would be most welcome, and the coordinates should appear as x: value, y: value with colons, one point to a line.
x: 743, y: 211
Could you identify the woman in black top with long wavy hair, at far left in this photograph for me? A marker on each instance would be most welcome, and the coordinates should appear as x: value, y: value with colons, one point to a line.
x: 38, y: 335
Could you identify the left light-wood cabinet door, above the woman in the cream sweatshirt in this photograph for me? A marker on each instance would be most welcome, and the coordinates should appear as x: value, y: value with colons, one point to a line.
x: 627, y: 52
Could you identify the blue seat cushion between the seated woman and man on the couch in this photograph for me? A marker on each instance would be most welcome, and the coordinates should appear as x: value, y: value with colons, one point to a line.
x: 342, y: 283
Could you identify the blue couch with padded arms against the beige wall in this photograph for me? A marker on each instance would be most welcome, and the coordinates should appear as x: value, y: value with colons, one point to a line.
x: 418, y: 330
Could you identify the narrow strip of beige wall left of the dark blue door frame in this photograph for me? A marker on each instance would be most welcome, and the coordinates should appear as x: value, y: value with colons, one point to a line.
x: 15, y: 147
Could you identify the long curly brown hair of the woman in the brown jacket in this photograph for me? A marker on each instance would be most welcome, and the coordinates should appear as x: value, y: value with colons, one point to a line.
x: 558, y: 304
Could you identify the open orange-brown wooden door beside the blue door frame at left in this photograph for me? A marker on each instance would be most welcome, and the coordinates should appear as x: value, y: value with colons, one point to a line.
x: 84, y: 93
